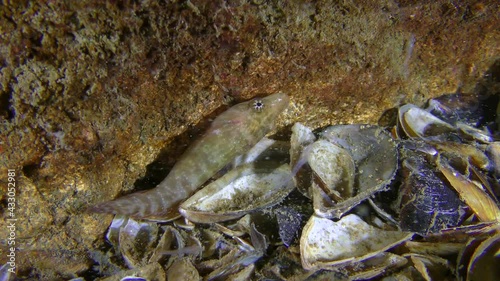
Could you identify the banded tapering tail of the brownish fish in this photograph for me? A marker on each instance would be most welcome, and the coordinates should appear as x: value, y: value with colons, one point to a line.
x: 149, y: 204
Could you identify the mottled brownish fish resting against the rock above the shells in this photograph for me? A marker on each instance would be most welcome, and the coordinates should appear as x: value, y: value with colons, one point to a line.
x: 232, y: 133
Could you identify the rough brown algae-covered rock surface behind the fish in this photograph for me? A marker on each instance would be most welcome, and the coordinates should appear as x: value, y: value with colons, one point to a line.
x: 92, y: 91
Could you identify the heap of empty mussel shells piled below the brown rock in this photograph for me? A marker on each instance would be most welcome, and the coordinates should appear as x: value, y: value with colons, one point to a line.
x: 413, y: 200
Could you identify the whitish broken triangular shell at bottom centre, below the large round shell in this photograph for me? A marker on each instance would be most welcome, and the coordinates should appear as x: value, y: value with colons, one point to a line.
x: 325, y: 244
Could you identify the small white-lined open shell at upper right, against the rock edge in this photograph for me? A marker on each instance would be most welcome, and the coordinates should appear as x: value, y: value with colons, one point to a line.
x: 418, y: 123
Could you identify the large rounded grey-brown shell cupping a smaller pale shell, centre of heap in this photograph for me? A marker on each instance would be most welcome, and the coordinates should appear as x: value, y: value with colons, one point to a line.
x: 375, y: 157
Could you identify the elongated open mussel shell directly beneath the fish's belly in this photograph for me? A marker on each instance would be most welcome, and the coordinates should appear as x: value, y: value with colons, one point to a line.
x: 242, y: 190
